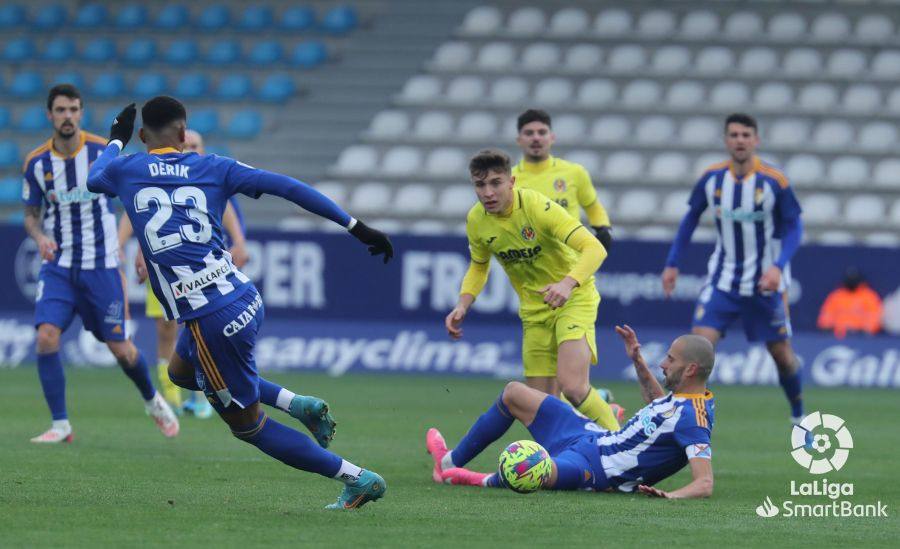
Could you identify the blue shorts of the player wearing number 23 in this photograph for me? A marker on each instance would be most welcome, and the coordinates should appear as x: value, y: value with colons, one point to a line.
x: 220, y: 347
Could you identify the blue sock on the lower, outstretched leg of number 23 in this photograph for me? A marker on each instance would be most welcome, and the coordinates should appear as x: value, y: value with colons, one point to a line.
x: 291, y: 447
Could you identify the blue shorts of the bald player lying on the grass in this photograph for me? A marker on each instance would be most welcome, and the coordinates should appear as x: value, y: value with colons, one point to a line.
x: 568, y: 435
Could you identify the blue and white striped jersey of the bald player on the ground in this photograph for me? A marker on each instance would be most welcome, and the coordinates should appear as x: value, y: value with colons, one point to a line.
x: 658, y: 440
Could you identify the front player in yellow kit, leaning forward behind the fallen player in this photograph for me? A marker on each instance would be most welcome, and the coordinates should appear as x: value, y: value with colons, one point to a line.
x: 550, y: 259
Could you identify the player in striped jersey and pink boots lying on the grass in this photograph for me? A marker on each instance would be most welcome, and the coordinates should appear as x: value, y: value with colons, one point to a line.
x: 671, y: 431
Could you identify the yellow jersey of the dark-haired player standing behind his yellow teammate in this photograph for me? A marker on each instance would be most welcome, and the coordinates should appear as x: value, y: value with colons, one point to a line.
x: 567, y: 183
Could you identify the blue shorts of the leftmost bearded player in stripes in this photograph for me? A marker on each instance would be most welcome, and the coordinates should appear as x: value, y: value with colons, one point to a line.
x: 97, y: 295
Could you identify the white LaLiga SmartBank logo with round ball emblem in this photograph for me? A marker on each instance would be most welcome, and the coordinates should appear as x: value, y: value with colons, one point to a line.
x: 821, y: 443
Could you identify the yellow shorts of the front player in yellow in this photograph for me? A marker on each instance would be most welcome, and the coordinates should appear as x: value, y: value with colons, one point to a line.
x: 542, y: 333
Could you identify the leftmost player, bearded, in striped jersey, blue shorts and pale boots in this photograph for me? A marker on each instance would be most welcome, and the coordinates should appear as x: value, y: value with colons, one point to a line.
x: 76, y: 238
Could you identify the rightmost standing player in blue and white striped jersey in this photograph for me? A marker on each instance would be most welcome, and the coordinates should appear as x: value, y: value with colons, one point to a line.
x: 759, y: 230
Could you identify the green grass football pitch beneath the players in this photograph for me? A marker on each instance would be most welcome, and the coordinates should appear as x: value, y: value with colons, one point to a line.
x: 122, y: 484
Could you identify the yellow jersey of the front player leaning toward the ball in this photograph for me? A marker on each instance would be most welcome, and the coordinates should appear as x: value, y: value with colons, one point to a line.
x: 530, y: 245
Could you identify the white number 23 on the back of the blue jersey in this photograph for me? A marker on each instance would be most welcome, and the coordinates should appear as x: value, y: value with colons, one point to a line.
x: 190, y: 197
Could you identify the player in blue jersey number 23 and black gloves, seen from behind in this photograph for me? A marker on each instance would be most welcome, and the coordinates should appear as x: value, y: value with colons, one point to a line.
x: 175, y: 202
